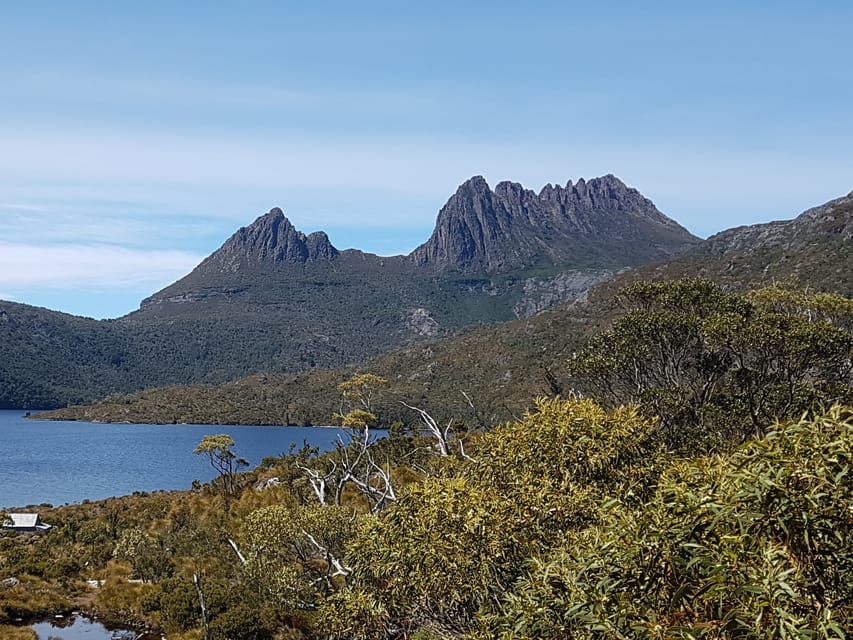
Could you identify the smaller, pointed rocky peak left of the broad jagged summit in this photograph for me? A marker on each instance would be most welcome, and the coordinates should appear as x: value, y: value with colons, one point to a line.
x: 270, y: 240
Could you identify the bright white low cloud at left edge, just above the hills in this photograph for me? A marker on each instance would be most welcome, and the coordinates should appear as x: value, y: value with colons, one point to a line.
x: 89, y: 266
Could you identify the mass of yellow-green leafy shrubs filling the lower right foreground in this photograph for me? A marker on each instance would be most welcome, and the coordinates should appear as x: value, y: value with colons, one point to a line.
x: 572, y: 525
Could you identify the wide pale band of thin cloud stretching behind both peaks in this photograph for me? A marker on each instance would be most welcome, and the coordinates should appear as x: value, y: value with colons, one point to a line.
x: 233, y: 178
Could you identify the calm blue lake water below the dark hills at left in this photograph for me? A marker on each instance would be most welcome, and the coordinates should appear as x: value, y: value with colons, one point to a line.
x: 68, y: 462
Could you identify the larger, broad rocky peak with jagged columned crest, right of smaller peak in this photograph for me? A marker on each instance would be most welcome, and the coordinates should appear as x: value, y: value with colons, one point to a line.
x: 601, y: 221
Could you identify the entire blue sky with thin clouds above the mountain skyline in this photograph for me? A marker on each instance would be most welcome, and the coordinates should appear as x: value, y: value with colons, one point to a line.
x: 136, y: 137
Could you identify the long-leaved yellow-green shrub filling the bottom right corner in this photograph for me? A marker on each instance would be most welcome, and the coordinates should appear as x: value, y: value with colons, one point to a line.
x: 758, y: 544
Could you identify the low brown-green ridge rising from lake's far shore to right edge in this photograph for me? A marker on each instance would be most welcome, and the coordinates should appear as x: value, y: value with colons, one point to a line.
x: 503, y: 366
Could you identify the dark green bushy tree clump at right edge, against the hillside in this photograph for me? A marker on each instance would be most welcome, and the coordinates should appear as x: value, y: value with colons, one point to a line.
x: 696, y: 356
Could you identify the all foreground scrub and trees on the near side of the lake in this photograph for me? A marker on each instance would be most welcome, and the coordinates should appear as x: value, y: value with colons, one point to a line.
x: 715, y: 504
